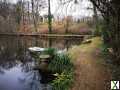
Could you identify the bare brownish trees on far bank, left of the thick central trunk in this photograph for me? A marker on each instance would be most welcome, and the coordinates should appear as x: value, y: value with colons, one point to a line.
x: 13, y: 15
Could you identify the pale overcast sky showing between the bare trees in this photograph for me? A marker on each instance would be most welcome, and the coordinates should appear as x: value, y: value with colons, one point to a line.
x: 77, y: 10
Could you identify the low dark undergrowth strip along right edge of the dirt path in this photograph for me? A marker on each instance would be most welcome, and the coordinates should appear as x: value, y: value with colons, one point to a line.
x: 109, y: 60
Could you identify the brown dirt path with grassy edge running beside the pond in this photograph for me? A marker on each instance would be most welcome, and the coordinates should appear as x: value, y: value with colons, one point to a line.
x: 90, y: 73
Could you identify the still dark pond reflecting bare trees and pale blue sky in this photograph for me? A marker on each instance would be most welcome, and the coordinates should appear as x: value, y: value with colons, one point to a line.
x: 16, y: 63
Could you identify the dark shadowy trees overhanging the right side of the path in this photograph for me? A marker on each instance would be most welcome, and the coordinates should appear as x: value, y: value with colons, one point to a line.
x: 110, y: 10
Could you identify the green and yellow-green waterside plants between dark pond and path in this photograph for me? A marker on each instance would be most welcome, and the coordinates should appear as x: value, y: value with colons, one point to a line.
x: 61, y: 65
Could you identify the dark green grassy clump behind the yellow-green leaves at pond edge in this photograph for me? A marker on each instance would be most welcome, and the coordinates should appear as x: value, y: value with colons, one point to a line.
x: 59, y: 63
